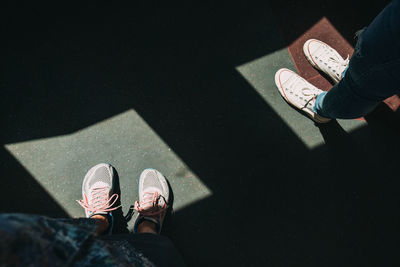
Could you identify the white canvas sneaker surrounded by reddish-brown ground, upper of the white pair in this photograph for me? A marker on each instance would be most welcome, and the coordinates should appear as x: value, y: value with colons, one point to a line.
x: 325, y: 58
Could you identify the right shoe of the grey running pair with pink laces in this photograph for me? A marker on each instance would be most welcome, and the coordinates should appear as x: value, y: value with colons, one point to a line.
x: 153, y: 199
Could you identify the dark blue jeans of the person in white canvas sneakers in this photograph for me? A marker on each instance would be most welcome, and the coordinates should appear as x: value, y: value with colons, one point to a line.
x: 373, y: 73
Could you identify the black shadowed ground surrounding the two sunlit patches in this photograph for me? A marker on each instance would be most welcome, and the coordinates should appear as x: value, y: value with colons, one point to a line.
x: 274, y: 201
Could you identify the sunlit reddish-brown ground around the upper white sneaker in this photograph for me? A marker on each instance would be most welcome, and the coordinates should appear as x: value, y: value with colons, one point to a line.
x: 324, y: 30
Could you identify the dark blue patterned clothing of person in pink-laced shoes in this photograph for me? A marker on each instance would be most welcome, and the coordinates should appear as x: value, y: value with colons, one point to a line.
x: 32, y: 240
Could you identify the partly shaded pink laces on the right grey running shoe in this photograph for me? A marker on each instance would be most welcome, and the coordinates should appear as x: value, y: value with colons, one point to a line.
x: 148, y: 206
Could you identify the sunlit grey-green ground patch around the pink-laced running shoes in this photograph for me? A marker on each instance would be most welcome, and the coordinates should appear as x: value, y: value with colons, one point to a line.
x: 125, y: 141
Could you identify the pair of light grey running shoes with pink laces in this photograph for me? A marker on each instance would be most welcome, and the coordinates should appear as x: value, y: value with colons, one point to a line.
x: 98, y: 197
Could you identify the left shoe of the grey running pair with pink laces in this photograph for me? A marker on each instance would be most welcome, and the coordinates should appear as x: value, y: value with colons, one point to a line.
x: 98, y: 196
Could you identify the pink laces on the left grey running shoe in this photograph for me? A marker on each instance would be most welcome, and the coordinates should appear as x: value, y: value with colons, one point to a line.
x: 101, y: 201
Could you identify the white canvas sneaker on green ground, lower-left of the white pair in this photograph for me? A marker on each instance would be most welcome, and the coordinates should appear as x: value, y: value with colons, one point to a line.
x: 299, y: 93
